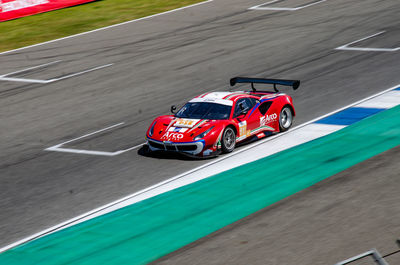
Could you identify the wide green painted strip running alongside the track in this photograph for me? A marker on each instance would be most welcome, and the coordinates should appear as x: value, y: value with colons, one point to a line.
x: 152, y: 228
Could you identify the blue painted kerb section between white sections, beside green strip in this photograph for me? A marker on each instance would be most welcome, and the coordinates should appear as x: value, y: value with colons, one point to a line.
x: 349, y: 116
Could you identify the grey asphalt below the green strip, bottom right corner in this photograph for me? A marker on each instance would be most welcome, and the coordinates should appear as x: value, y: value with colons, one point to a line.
x: 336, y: 219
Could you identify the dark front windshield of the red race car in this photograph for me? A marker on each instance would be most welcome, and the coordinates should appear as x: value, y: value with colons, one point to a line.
x: 204, y: 110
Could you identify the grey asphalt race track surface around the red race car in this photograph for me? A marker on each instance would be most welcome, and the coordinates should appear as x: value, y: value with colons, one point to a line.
x: 156, y: 63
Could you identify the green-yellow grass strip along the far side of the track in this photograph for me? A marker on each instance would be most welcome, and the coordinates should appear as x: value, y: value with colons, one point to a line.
x: 68, y: 21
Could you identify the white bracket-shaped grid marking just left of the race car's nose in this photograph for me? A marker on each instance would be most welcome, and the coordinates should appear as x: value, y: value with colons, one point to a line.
x: 59, y: 148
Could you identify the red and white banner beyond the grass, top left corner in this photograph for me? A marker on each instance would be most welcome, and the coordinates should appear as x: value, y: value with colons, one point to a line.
x: 11, y: 9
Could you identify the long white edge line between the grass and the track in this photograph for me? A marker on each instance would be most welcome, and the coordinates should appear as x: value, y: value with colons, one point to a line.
x: 108, y: 27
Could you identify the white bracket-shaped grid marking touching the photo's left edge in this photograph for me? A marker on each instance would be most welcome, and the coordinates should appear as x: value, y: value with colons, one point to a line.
x: 7, y: 77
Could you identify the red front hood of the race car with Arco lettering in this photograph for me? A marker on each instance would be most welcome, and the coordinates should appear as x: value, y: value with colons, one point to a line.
x: 172, y: 129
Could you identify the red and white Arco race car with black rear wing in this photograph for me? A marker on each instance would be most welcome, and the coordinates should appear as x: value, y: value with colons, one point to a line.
x: 215, y: 122
